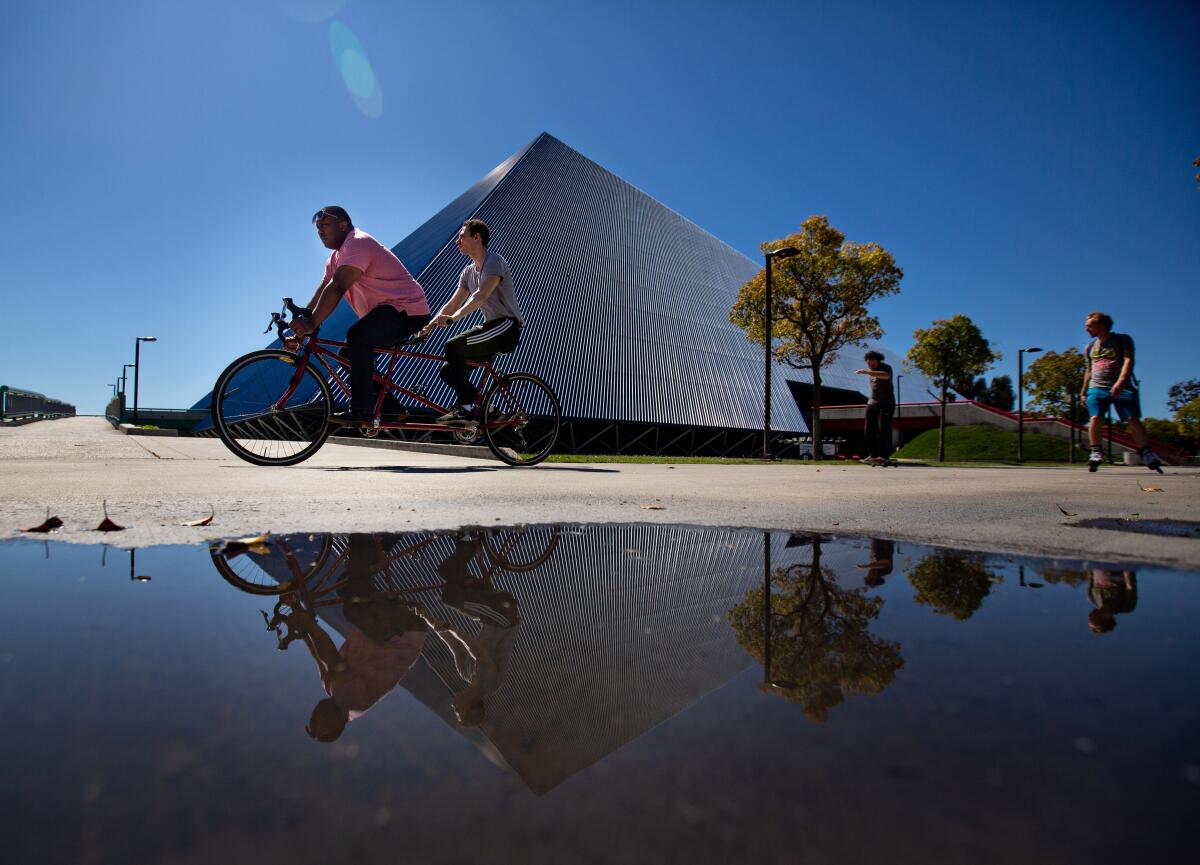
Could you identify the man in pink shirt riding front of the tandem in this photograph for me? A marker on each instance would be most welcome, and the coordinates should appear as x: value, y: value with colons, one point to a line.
x: 391, y: 304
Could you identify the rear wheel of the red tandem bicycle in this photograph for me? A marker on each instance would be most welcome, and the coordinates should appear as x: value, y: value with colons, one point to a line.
x: 531, y: 441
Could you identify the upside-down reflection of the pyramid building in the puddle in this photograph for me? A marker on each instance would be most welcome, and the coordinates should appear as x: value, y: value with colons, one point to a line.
x: 622, y: 628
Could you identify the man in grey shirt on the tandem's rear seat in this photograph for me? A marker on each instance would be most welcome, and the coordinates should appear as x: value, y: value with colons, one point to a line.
x: 484, y: 285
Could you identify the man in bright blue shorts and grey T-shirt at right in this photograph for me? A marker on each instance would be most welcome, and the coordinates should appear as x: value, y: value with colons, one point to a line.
x: 1109, y: 382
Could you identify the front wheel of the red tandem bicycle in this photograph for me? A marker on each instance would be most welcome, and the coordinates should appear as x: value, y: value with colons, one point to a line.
x: 268, y: 412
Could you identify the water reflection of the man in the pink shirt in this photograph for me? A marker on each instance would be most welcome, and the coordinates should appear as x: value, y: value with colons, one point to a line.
x: 385, y: 644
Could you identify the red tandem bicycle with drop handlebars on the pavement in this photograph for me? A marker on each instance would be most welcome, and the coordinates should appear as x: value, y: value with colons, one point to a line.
x: 273, y: 407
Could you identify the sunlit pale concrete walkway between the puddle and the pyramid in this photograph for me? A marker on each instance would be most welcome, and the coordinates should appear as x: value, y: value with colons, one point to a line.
x: 155, y: 484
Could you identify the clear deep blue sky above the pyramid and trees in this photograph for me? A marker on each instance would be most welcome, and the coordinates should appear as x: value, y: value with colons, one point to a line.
x: 1025, y: 163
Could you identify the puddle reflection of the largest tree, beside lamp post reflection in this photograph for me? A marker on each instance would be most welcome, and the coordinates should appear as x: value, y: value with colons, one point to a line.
x: 820, y: 646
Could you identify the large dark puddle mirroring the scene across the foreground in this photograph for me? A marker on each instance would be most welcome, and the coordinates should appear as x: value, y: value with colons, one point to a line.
x: 584, y: 694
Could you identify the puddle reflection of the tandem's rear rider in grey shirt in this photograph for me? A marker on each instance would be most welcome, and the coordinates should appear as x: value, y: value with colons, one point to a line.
x: 497, y: 614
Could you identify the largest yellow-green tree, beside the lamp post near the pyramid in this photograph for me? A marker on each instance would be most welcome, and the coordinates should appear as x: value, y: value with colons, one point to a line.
x: 819, y: 301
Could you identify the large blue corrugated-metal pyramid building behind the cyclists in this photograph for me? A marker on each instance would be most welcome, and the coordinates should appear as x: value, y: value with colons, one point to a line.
x: 627, y: 313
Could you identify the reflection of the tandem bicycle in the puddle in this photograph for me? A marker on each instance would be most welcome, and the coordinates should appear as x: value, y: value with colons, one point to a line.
x: 310, y: 568
